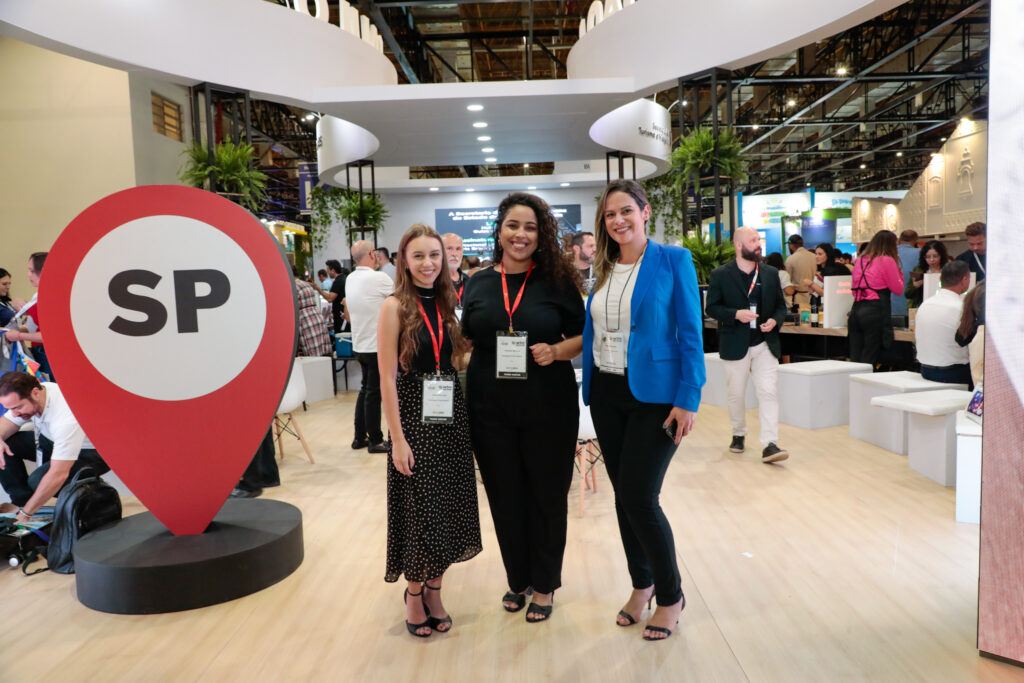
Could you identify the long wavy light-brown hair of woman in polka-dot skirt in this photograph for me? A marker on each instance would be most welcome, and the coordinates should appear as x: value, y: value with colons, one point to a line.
x: 405, y: 291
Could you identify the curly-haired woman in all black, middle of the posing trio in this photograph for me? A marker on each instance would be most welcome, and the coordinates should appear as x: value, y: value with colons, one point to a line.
x: 525, y: 430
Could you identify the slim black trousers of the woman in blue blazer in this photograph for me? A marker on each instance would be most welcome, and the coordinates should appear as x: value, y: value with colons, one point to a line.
x: 637, y: 453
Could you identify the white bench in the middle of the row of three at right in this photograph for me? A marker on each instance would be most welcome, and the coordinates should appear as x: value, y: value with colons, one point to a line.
x: 883, y: 428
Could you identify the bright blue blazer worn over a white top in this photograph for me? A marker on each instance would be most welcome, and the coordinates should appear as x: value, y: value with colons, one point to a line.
x: 666, y: 349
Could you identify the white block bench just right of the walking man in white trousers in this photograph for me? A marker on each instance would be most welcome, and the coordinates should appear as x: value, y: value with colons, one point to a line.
x: 817, y: 394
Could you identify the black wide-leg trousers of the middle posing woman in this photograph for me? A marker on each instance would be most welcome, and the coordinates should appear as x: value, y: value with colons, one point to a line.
x: 527, y: 466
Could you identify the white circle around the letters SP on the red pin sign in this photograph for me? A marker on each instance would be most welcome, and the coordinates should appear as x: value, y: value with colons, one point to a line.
x: 168, y: 365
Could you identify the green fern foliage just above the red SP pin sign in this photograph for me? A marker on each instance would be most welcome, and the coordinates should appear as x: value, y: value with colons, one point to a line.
x: 230, y: 174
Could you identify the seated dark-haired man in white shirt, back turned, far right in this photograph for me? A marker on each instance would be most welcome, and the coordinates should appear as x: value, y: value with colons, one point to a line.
x: 942, y: 359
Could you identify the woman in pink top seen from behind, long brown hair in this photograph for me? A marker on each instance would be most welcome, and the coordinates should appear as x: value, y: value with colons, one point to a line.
x: 876, y: 275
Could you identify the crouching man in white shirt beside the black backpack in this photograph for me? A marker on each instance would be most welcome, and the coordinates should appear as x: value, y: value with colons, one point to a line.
x: 66, y: 448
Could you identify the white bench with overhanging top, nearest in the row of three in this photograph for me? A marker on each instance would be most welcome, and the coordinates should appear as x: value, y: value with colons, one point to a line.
x: 931, y: 430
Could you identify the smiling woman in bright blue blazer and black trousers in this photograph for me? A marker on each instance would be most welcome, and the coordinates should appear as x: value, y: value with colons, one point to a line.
x: 644, y: 370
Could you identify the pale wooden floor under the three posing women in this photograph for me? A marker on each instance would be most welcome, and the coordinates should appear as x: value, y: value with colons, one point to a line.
x: 839, y: 565
